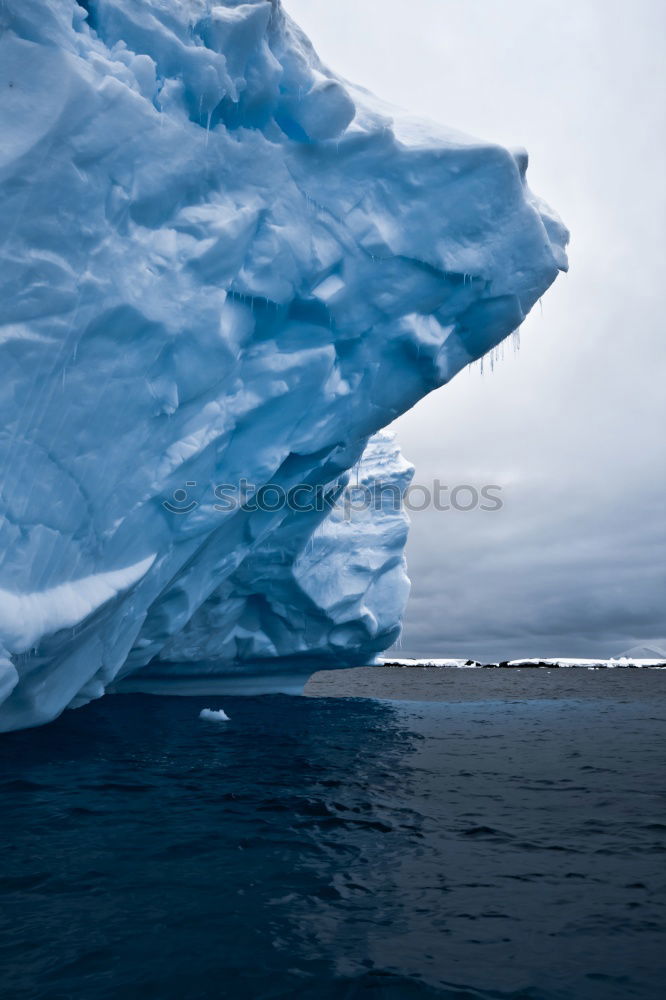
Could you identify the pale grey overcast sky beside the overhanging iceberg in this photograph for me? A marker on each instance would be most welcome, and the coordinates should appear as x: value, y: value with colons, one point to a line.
x: 572, y: 426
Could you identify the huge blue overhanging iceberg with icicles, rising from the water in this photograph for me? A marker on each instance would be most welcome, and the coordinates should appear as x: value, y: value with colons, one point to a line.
x: 221, y: 262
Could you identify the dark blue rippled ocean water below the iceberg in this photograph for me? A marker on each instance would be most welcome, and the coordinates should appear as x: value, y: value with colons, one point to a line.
x: 320, y: 847
